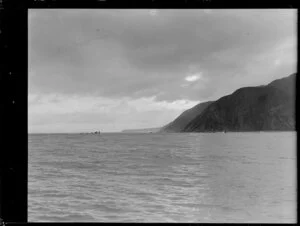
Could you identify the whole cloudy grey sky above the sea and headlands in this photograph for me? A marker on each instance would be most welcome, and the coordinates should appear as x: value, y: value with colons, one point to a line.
x: 117, y: 69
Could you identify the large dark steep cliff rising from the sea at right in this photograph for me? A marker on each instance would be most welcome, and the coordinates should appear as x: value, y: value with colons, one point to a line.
x: 262, y: 108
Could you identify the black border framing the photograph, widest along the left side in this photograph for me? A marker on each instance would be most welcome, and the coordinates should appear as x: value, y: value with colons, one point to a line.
x: 14, y: 85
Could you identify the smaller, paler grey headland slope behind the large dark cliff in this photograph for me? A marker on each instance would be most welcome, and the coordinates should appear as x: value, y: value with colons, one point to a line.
x: 182, y: 120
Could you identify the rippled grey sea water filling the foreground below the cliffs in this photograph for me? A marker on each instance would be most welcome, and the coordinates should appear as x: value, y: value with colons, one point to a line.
x: 188, y: 177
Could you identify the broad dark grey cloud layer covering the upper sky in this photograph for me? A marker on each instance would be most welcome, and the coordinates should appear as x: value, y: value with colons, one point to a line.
x: 117, y: 53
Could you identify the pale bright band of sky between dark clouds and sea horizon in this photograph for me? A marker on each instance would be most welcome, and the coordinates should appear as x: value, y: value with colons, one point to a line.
x: 87, y: 113
